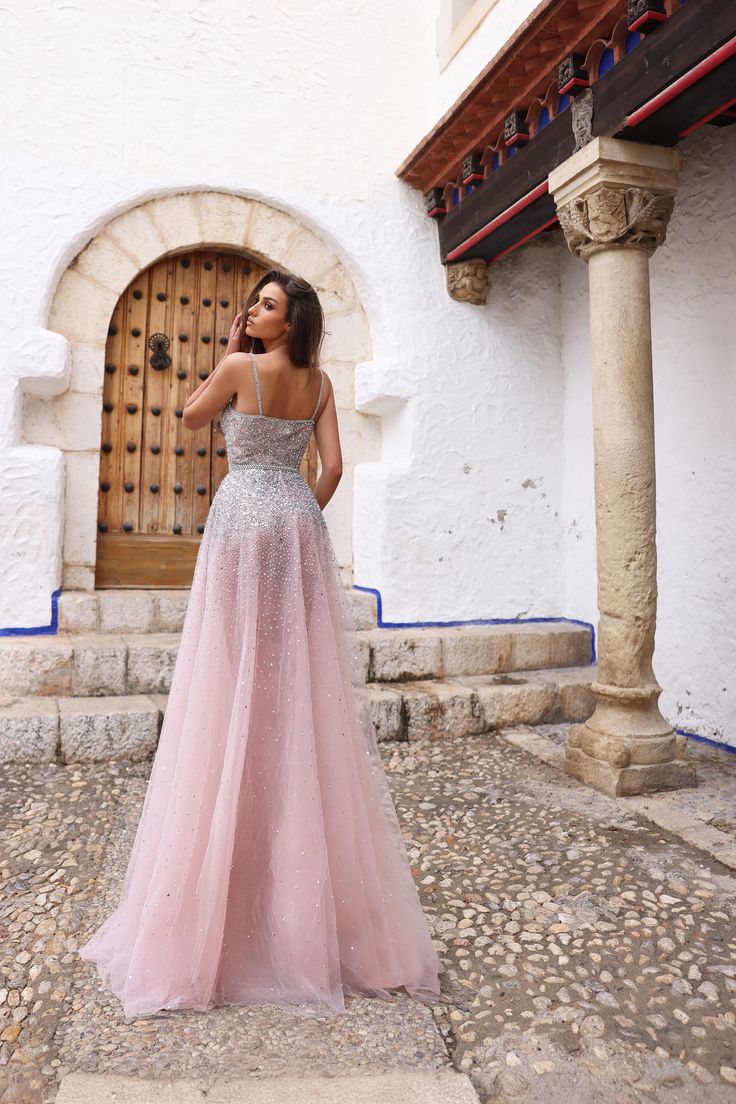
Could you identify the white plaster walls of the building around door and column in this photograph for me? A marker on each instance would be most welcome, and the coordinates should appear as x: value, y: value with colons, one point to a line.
x: 470, y: 428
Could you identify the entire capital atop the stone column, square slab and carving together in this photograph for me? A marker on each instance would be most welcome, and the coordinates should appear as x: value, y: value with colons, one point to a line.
x: 615, y: 194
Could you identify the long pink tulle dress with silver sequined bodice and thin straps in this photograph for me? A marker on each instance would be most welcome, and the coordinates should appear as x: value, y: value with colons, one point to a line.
x: 269, y: 864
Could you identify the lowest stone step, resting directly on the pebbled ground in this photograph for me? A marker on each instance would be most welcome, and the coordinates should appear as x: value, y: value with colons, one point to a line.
x: 126, y: 727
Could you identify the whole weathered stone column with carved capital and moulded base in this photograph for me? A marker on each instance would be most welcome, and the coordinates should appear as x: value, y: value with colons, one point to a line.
x: 614, y: 201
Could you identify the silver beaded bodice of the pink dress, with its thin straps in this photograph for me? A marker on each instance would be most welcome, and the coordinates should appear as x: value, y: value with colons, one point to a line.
x: 260, y: 441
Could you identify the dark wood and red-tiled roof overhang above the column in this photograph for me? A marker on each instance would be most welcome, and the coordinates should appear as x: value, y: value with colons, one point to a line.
x: 575, y: 70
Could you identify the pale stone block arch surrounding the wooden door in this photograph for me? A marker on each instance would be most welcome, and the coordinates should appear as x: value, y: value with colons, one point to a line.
x: 83, y: 305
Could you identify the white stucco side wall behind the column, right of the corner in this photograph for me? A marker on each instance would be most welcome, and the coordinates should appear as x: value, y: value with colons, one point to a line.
x: 694, y: 299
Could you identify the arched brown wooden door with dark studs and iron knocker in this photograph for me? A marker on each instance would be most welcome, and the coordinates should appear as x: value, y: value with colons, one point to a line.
x: 157, y: 480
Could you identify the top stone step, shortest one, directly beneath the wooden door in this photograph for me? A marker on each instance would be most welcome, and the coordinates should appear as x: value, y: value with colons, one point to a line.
x: 158, y: 611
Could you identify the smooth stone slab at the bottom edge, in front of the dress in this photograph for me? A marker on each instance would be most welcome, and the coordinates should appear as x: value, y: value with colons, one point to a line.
x: 443, y: 1087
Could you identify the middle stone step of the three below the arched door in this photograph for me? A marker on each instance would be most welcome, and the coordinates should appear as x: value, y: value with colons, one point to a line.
x: 99, y: 664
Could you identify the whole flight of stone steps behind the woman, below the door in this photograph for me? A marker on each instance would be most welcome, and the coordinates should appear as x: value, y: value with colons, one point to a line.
x: 98, y: 689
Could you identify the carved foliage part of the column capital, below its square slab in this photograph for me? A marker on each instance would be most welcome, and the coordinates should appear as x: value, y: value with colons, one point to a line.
x: 635, y: 217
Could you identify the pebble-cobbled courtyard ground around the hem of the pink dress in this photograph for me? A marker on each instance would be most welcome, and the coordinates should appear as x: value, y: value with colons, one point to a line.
x: 589, y: 957
